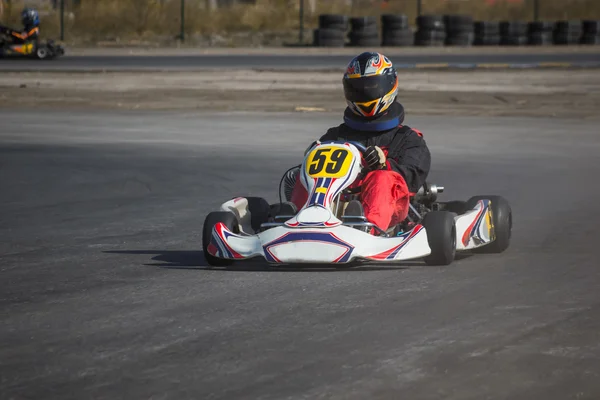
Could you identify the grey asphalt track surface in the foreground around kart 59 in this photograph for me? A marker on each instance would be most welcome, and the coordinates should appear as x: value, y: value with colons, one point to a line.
x: 104, y: 292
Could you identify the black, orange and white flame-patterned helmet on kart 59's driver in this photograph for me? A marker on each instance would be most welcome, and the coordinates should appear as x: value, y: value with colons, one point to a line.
x: 370, y: 84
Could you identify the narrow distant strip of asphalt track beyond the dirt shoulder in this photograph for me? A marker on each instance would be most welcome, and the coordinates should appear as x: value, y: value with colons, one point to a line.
x: 302, y: 62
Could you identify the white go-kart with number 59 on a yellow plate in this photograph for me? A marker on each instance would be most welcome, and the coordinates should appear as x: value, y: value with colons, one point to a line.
x: 326, y: 231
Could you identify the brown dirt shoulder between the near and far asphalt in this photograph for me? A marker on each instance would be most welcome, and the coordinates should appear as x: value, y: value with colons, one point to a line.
x: 553, y: 93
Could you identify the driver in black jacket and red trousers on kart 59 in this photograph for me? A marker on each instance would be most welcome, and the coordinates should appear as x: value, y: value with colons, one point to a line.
x: 397, y: 158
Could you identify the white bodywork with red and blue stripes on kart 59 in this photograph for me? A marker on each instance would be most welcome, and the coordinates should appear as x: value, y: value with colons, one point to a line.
x: 316, y: 235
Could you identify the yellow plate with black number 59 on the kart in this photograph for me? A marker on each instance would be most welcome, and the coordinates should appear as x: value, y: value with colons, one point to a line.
x: 328, y: 162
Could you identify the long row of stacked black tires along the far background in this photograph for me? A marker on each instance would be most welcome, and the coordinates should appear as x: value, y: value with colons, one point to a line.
x: 450, y: 30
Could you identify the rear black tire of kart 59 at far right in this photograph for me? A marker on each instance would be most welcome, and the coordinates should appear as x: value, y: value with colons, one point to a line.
x: 502, y: 220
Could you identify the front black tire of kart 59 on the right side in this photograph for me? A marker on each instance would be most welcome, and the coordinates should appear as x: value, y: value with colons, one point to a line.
x: 441, y: 234
